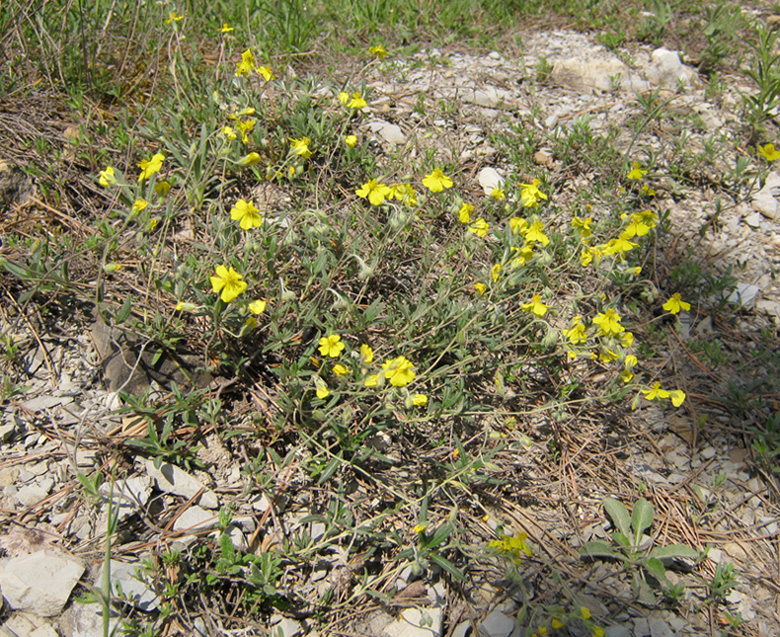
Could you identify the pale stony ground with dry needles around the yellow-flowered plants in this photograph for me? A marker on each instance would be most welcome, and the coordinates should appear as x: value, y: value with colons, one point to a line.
x: 696, y: 465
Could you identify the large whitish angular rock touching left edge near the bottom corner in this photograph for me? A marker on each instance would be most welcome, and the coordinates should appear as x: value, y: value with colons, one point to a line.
x: 40, y: 582
